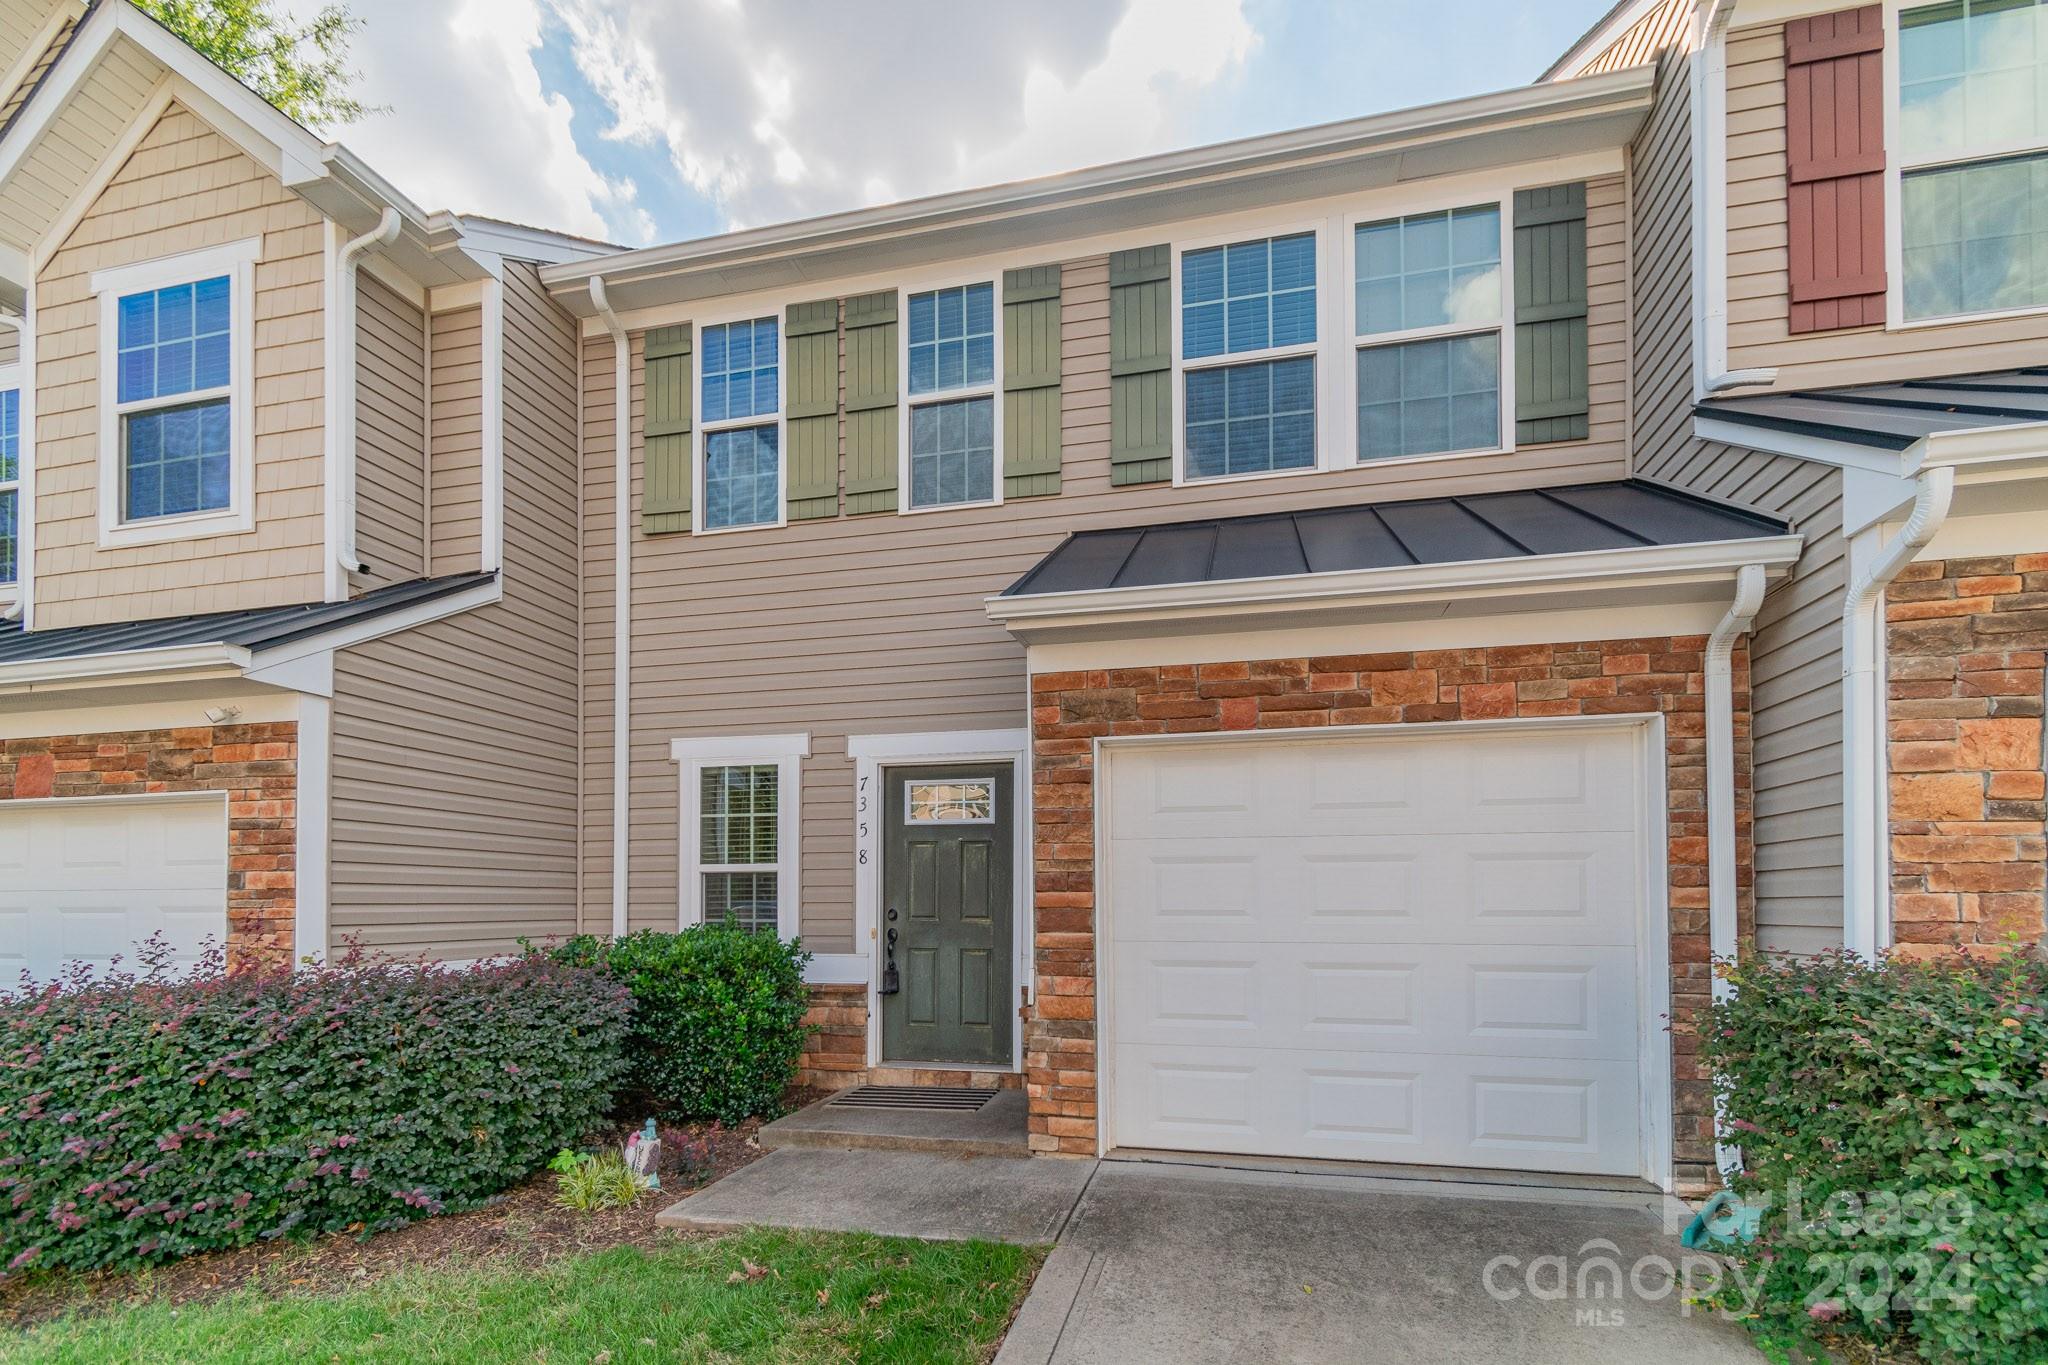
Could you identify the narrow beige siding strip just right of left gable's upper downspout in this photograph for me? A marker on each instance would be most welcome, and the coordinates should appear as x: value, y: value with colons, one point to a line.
x: 390, y: 435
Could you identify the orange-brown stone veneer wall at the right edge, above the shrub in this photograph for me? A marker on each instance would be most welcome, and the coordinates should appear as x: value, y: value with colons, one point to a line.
x: 1965, y: 644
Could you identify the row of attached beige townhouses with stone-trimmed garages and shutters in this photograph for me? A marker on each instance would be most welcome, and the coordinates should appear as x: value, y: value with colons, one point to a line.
x: 1299, y: 648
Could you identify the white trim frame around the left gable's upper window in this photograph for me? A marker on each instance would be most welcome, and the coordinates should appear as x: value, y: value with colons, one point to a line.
x: 239, y: 263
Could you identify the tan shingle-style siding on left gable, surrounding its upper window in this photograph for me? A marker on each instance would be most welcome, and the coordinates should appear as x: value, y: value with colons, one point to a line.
x: 183, y: 189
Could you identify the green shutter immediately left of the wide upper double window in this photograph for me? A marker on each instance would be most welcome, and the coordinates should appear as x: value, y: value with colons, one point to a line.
x: 1142, y: 367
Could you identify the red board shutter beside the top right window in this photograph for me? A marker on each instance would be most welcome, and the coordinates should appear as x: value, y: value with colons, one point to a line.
x: 1836, y: 169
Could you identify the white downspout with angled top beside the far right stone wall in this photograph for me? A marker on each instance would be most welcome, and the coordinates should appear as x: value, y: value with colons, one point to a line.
x: 1863, y: 744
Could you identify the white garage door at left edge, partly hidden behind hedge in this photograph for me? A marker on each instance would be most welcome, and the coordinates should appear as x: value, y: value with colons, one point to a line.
x: 93, y: 879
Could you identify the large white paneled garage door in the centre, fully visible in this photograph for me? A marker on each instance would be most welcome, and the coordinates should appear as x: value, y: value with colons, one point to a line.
x: 1396, y: 949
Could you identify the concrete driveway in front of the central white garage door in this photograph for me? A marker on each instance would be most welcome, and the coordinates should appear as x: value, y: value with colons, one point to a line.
x: 1189, y: 1264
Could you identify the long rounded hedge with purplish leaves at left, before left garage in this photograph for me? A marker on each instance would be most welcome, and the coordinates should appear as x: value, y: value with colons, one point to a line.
x: 151, y: 1118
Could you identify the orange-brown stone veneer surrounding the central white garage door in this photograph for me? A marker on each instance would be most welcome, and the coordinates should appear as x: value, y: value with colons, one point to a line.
x: 1605, y: 678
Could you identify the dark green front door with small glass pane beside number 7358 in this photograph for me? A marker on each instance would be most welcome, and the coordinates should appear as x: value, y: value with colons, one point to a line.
x: 947, y: 914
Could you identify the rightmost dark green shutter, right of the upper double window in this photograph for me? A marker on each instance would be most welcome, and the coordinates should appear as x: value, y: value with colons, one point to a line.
x: 1551, y: 363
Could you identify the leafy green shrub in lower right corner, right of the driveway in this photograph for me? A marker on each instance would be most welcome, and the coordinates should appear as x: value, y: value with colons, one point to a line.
x: 1895, y: 1118
